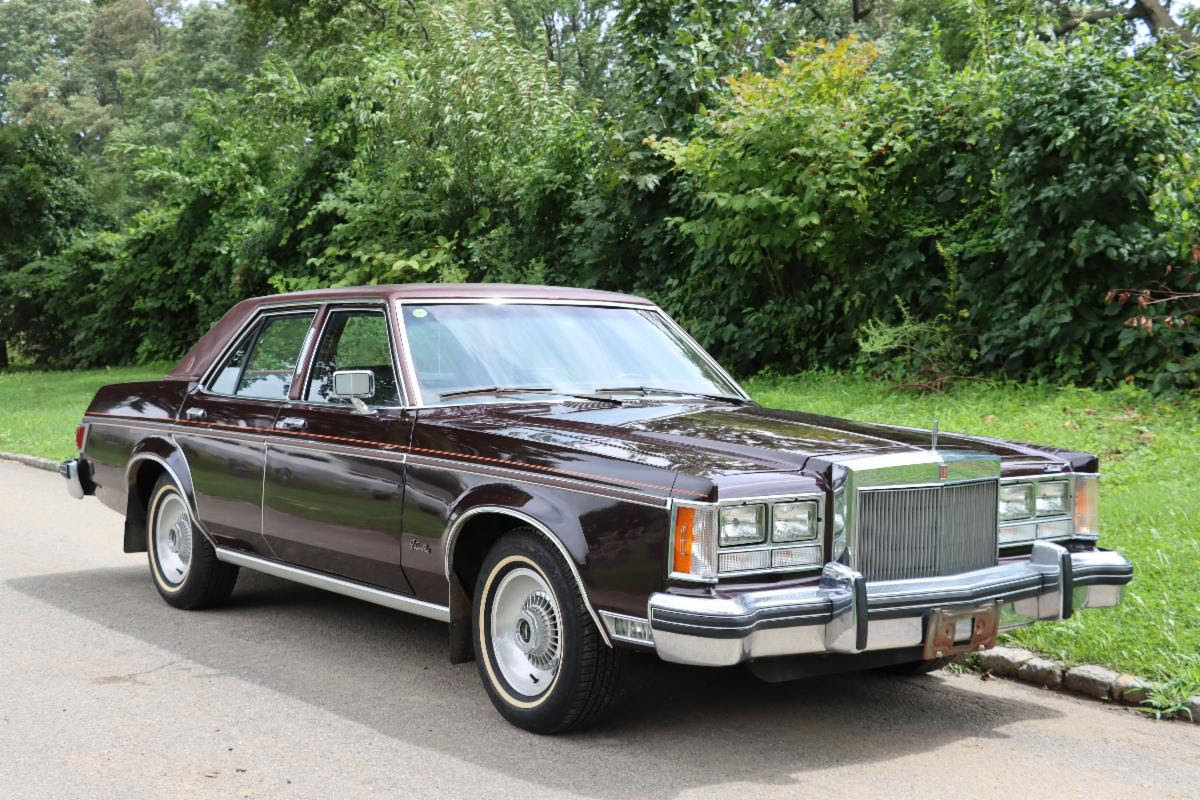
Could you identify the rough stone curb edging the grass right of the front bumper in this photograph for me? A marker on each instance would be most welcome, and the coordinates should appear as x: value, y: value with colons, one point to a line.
x: 1095, y: 682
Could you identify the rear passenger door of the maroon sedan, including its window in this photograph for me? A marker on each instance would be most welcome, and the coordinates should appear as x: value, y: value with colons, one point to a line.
x: 225, y: 424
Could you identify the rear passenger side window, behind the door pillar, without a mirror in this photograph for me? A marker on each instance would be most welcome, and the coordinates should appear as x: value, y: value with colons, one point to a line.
x: 263, y: 363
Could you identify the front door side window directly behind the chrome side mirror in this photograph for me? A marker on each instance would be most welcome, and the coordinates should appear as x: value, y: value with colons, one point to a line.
x: 355, y: 340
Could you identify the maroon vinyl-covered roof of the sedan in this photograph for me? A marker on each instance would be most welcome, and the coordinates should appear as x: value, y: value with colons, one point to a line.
x: 199, y: 360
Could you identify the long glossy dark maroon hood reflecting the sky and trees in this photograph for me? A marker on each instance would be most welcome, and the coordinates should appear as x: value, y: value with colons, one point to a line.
x: 710, y: 440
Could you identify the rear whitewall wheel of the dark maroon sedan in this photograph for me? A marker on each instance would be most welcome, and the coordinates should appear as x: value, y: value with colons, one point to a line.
x: 184, y: 566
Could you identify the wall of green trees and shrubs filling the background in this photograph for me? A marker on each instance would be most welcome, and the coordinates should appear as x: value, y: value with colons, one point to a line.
x: 777, y: 175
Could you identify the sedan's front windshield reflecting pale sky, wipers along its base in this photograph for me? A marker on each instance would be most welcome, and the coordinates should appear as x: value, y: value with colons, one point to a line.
x: 514, y: 350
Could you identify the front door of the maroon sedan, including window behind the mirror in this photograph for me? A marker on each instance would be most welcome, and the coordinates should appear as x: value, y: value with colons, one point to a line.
x: 335, y: 479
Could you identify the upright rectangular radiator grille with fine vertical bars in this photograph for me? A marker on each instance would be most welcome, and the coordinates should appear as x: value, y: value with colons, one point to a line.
x: 923, y: 532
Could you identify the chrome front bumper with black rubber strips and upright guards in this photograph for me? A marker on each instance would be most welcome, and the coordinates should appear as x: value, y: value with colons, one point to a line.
x: 847, y: 615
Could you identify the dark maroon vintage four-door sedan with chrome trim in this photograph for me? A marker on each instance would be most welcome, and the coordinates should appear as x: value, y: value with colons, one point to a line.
x: 566, y: 477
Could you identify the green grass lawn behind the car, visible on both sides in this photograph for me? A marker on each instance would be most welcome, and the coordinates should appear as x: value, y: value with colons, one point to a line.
x: 1150, y: 452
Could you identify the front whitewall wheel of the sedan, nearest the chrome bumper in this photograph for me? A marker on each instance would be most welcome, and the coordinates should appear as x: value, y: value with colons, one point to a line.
x: 539, y: 653
